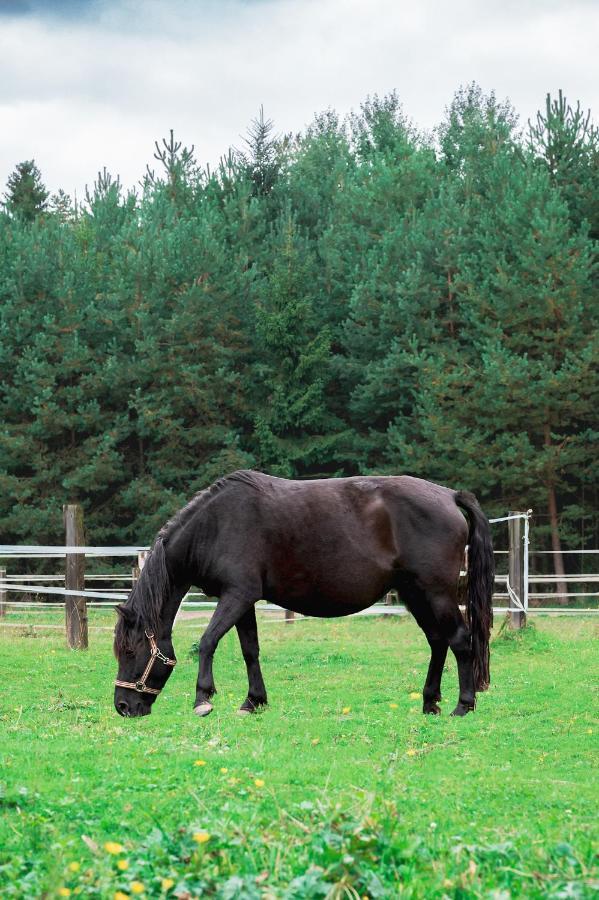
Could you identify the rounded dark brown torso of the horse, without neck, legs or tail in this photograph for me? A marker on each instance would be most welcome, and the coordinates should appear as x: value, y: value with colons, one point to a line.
x: 331, y: 546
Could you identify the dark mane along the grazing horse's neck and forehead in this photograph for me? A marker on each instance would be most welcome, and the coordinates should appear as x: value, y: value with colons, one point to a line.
x: 143, y: 607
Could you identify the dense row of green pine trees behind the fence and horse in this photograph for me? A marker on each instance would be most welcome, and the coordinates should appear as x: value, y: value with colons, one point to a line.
x: 358, y: 298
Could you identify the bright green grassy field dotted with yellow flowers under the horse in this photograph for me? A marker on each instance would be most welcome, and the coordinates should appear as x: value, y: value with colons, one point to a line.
x: 340, y: 789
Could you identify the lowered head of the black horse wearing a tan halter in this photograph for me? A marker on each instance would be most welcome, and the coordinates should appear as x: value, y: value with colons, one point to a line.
x: 146, y: 660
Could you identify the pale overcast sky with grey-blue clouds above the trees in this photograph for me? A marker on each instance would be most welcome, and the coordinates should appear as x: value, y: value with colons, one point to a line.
x: 92, y: 83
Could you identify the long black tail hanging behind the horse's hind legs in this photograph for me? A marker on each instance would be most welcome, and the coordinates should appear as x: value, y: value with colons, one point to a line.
x: 481, y: 580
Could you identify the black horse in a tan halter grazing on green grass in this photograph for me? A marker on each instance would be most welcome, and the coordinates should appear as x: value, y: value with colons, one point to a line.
x: 327, y: 547
